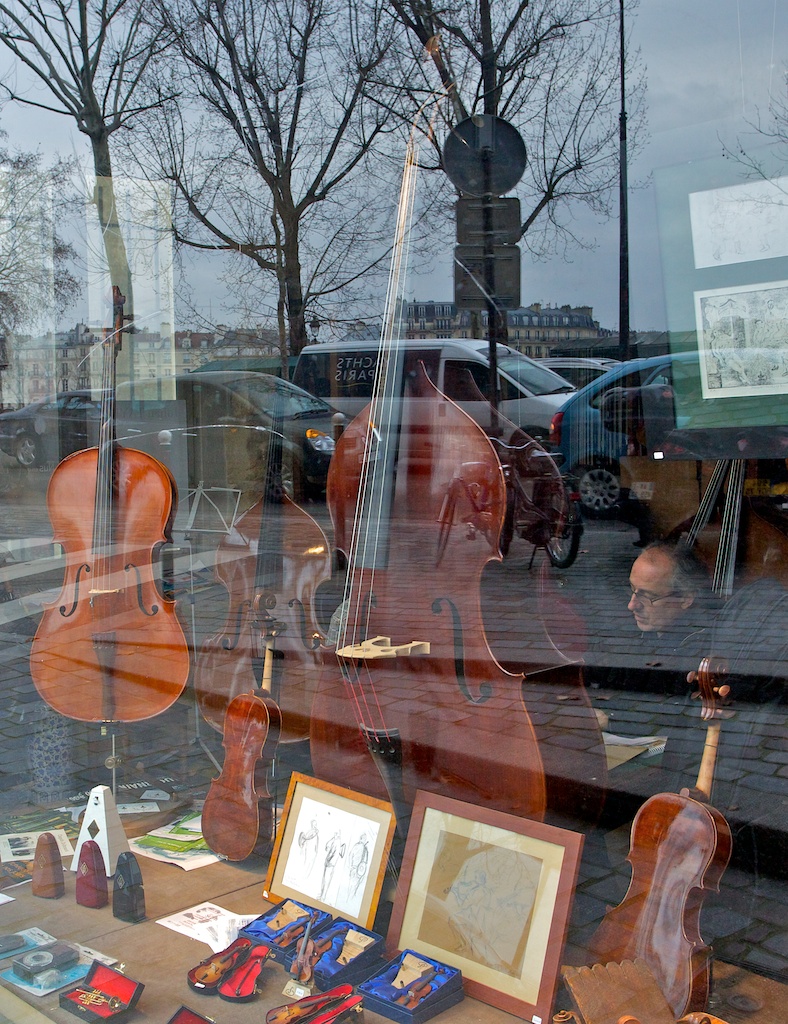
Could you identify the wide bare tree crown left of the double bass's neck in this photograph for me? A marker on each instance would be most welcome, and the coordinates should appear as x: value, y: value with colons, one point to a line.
x: 274, y: 160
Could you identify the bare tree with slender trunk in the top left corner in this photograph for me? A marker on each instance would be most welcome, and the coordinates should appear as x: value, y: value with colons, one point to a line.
x: 90, y: 55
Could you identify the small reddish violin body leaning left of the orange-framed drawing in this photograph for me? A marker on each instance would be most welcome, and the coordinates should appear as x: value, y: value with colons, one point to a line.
x: 232, y: 814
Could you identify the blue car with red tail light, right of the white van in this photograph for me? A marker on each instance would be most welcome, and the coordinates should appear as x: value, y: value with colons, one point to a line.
x: 582, y: 433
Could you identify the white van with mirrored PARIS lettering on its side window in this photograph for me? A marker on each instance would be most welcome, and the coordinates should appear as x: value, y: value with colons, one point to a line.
x: 343, y: 374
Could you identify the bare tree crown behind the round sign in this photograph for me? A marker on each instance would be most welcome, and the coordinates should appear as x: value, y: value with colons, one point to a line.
x: 552, y: 69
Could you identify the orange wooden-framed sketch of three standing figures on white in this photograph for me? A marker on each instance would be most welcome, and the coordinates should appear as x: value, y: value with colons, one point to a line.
x: 331, y: 850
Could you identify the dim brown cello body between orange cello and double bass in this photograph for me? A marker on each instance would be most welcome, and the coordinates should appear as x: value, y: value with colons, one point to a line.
x: 231, y: 662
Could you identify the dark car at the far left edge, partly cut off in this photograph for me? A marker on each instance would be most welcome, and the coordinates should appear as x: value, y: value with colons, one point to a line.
x: 50, y: 430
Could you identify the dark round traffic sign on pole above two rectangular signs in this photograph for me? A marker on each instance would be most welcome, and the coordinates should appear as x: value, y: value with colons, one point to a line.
x: 485, y: 156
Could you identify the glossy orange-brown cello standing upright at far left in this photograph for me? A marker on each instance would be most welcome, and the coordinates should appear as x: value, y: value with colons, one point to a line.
x: 111, y: 649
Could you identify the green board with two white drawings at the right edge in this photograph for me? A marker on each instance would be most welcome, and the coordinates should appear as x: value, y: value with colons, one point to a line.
x: 724, y: 241
